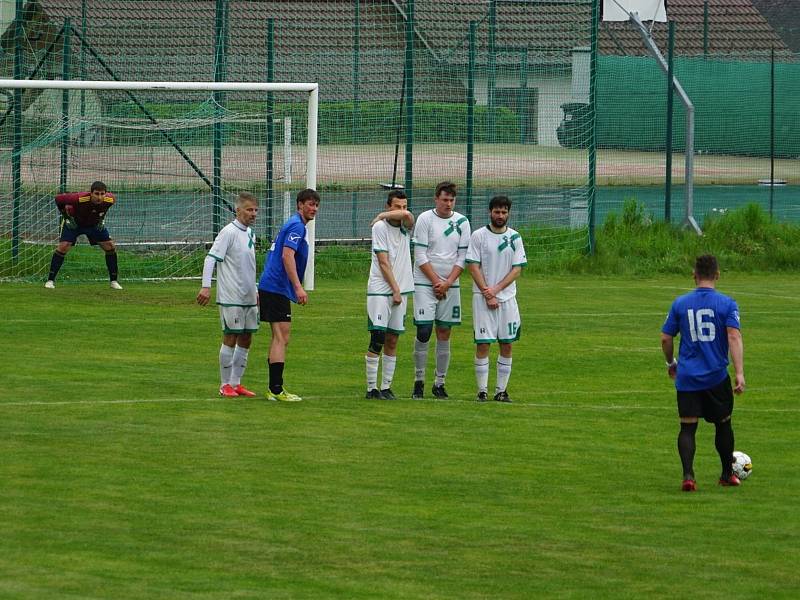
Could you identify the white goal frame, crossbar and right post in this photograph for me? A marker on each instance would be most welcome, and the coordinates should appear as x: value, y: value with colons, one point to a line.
x: 212, y: 86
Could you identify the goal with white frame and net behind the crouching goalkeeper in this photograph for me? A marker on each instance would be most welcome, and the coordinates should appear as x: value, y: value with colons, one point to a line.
x: 174, y: 154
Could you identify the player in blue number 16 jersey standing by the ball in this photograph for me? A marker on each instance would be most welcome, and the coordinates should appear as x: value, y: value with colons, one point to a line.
x: 708, y: 323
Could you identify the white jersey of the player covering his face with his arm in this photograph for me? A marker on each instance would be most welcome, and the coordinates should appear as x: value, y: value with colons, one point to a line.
x: 394, y: 241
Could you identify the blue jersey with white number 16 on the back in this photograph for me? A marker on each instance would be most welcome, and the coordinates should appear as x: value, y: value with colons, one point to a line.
x: 702, y: 318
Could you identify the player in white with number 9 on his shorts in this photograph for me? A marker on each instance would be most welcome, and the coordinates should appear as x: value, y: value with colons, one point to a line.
x: 441, y: 237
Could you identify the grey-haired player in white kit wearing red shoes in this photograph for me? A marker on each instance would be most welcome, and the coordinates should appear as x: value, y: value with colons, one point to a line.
x: 233, y: 254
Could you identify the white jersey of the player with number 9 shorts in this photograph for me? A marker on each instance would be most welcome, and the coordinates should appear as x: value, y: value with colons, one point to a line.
x: 442, y: 242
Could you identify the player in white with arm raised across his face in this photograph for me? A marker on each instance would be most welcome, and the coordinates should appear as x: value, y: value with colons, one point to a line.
x: 390, y: 283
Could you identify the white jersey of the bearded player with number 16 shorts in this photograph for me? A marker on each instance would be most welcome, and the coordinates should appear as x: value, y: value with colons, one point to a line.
x: 496, y: 253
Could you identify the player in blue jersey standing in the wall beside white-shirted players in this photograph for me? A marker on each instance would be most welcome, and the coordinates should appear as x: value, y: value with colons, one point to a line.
x: 281, y: 284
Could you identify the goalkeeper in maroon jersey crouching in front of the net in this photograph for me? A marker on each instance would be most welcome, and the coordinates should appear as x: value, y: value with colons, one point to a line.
x: 83, y: 213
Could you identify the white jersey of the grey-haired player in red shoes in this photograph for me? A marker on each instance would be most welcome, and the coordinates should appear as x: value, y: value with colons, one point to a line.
x: 235, y: 253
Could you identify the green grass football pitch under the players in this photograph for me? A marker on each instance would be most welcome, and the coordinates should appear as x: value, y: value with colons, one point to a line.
x: 123, y: 475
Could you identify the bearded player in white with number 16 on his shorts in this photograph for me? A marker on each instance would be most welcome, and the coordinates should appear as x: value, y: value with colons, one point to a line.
x: 495, y: 259
